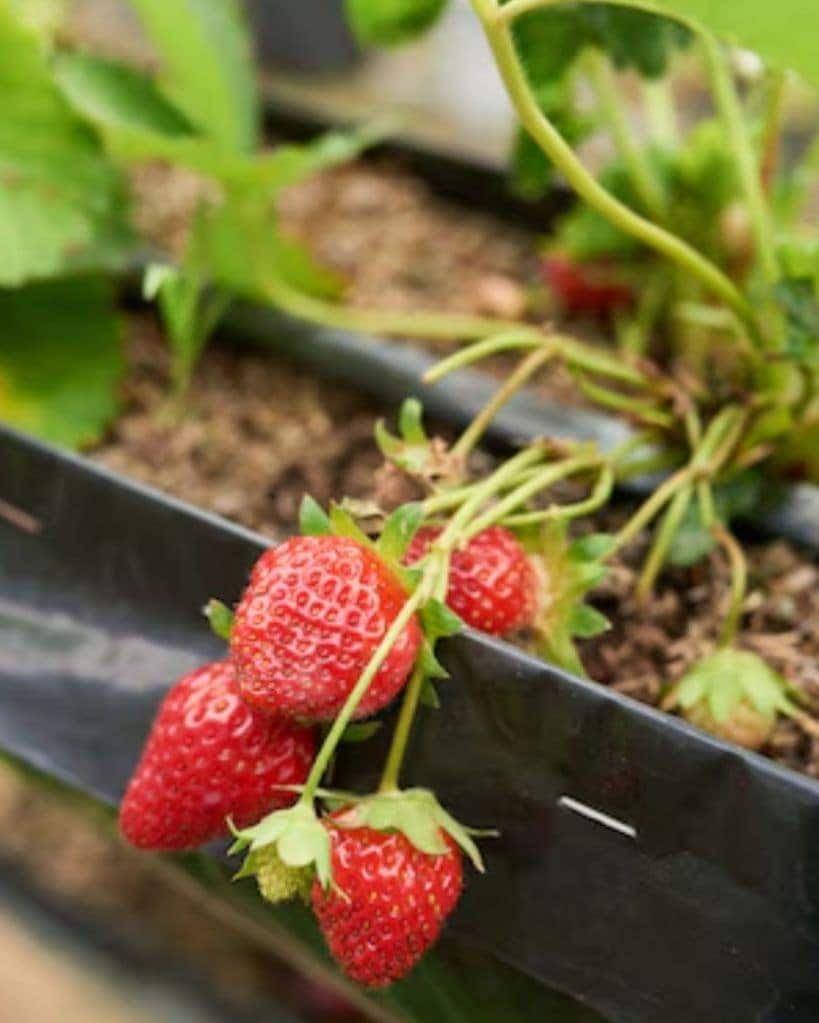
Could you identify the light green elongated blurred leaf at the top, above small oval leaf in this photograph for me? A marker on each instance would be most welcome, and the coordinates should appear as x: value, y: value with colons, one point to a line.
x: 208, y: 69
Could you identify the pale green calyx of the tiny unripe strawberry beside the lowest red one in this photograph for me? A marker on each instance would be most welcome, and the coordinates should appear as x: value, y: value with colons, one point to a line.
x: 296, y: 836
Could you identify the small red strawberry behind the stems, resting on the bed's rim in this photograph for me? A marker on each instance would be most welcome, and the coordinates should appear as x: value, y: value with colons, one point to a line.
x: 493, y: 585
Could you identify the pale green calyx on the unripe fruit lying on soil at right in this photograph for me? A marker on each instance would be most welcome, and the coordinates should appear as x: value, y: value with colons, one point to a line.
x: 723, y: 682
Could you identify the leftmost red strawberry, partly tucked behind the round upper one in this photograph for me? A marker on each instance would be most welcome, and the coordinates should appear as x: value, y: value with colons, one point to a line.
x: 210, y: 757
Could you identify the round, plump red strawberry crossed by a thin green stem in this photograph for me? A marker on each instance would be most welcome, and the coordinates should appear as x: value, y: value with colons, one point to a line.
x: 313, y: 614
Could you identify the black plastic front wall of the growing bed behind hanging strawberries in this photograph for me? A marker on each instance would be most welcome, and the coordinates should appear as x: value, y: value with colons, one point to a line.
x: 667, y: 876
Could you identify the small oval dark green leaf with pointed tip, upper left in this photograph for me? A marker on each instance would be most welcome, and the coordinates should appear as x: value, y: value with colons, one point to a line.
x: 108, y: 93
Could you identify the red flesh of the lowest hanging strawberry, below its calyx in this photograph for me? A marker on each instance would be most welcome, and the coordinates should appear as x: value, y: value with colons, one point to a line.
x: 394, y: 900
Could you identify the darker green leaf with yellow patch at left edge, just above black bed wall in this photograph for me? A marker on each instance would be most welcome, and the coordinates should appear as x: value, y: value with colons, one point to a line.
x: 61, y: 361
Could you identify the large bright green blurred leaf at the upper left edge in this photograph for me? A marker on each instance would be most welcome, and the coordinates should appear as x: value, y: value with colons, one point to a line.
x: 62, y: 202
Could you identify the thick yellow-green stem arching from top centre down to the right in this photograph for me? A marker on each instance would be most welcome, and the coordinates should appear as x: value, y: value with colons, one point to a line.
x: 540, y: 128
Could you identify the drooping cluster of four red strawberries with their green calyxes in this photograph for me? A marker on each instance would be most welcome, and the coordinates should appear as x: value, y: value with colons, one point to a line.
x: 234, y: 740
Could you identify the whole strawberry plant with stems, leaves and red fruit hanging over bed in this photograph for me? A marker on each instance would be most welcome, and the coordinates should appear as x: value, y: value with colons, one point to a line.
x: 337, y: 624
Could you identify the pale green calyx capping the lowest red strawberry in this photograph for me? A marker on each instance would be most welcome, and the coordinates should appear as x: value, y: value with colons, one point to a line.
x: 415, y: 813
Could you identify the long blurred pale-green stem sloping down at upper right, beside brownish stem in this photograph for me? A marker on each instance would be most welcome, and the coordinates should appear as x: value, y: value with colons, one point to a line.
x: 734, y: 120
